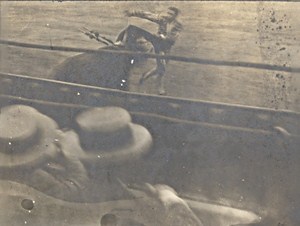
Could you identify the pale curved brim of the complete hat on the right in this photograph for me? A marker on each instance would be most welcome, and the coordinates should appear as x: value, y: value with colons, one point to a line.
x: 140, y: 145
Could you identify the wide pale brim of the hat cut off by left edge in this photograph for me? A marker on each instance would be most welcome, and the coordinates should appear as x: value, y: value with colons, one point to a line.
x: 40, y: 152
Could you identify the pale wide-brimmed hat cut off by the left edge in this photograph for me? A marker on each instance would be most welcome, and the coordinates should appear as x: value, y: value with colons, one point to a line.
x: 26, y: 137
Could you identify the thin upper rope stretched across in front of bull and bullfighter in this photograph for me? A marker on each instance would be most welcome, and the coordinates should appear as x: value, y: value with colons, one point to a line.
x: 157, y: 56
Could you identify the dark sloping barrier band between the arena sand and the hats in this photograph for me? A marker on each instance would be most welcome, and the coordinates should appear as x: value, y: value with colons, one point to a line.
x: 243, y: 117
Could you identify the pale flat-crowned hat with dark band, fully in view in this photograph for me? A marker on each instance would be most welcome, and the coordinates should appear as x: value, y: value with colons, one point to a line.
x: 107, y: 135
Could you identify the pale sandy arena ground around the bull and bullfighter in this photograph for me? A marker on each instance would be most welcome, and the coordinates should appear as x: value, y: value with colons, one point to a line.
x: 260, y: 32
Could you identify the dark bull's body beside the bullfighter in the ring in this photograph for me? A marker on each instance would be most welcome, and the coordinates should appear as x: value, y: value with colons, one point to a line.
x: 110, y: 70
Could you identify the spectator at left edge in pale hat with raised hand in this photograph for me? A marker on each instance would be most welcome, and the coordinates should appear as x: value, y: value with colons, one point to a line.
x: 31, y: 153
